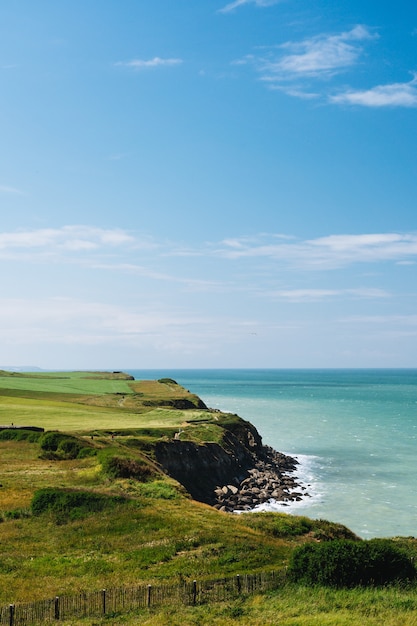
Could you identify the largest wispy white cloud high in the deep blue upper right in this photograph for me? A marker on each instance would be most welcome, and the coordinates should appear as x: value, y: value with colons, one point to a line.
x: 319, y: 57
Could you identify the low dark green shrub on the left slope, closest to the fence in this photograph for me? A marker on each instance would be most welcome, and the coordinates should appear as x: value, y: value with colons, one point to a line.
x: 71, y: 504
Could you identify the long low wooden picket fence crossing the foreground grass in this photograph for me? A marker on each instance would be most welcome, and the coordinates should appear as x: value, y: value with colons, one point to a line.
x: 124, y: 599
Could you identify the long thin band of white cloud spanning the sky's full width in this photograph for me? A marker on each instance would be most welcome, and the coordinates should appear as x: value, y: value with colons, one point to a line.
x: 321, y: 253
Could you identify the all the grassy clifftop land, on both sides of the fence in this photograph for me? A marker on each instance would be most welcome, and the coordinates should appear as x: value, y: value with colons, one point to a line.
x: 147, y: 529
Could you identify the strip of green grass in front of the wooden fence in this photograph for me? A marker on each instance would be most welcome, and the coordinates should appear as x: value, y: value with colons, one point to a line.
x: 290, y: 606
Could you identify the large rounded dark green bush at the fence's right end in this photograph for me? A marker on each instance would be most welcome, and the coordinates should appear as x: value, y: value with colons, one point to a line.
x: 346, y: 563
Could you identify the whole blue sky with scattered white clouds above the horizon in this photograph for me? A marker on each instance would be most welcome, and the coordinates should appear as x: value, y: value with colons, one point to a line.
x: 208, y: 184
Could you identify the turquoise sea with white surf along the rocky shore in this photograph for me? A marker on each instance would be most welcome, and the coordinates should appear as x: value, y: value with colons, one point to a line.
x: 353, y: 432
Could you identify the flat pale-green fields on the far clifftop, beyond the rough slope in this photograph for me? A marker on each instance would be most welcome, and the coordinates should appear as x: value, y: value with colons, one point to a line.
x: 77, y: 401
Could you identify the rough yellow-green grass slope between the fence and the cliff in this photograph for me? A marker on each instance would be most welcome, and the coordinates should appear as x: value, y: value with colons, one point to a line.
x: 160, y: 535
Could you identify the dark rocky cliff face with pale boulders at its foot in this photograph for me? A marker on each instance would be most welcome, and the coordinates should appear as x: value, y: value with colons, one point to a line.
x: 236, y: 475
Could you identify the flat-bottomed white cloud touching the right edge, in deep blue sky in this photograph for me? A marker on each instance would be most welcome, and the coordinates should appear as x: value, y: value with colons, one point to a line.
x: 393, y: 95
